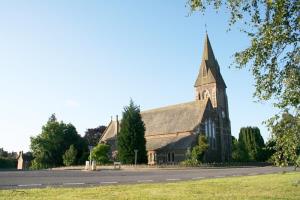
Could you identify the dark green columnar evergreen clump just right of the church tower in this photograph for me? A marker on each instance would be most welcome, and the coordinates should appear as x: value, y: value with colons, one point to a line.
x: 251, y: 144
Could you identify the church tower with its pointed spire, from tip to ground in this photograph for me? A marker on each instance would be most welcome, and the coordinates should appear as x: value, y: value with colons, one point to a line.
x: 210, y: 84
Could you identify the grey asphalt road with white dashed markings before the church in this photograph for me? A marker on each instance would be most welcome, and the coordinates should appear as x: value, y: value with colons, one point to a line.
x: 77, y: 178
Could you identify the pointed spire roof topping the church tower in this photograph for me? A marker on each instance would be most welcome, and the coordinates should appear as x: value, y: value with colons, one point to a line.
x: 210, y: 66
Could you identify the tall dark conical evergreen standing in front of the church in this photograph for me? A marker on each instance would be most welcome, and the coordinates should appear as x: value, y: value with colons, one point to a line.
x: 132, y: 136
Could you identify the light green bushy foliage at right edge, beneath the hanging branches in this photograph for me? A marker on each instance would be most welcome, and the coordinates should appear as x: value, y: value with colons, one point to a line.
x: 287, y: 137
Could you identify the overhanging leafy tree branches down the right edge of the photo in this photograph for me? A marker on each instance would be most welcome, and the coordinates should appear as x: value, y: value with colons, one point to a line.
x: 273, y: 56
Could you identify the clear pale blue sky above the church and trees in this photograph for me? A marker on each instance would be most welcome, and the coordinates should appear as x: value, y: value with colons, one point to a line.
x: 84, y: 60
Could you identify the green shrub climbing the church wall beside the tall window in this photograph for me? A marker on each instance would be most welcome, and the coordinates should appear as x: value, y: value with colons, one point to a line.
x: 196, y: 157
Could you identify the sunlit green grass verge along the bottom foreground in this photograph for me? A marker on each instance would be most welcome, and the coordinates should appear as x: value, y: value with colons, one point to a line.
x: 273, y: 186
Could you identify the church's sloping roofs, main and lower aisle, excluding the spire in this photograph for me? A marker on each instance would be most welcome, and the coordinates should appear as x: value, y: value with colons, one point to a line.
x: 166, y: 120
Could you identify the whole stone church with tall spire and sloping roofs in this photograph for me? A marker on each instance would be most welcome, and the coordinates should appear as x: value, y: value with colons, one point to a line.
x: 172, y: 131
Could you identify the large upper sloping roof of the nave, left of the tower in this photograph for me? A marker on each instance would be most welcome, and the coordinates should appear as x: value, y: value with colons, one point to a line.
x: 173, y: 119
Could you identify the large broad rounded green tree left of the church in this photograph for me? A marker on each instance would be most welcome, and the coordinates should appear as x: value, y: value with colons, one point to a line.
x: 49, y: 146
